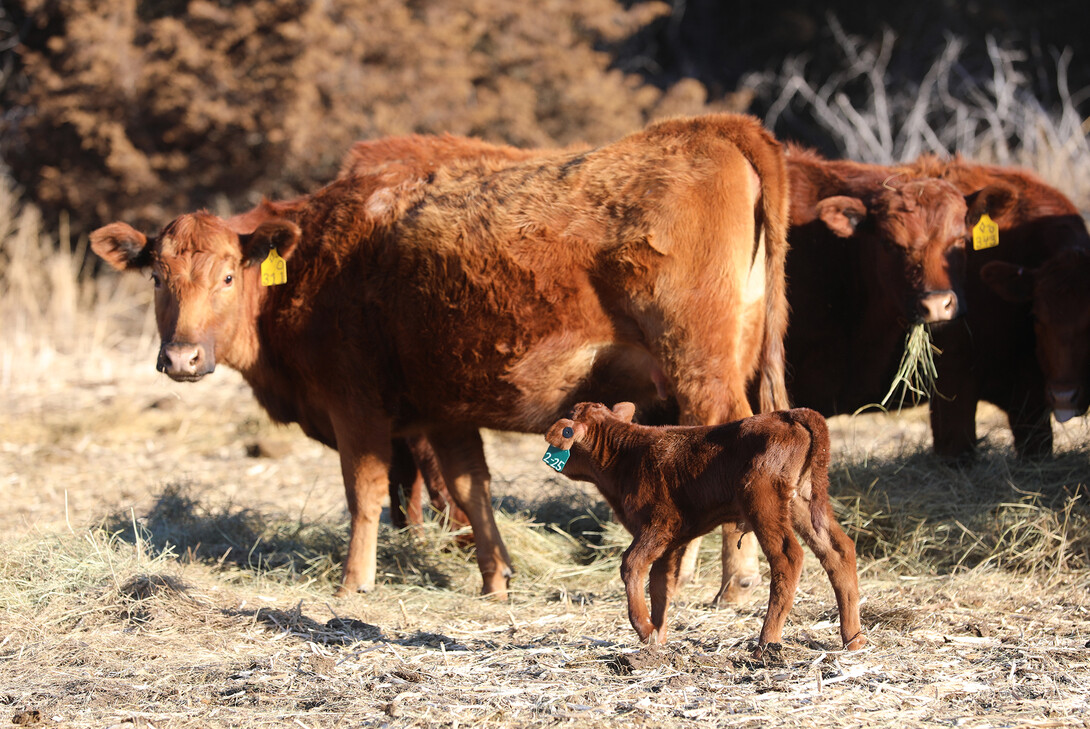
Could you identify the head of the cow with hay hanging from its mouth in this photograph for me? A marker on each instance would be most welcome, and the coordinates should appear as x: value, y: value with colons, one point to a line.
x: 913, y: 239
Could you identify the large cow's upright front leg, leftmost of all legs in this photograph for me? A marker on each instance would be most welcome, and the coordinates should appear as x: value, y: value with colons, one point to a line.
x: 366, y: 460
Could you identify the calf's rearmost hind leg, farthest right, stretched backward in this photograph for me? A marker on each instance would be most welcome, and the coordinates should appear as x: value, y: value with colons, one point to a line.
x: 837, y: 553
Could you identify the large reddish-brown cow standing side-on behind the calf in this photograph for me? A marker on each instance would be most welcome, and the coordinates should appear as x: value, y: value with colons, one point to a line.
x: 644, y: 270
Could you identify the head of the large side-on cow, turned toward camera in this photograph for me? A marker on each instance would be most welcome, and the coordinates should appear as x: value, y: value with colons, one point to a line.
x: 208, y: 285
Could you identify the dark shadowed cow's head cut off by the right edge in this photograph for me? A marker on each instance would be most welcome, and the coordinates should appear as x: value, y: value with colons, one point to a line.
x: 1060, y: 294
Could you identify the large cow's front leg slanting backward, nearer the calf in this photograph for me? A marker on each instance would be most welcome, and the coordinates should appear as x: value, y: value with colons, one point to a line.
x: 461, y: 455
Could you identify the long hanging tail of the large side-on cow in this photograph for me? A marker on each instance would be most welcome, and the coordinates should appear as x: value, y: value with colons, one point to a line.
x: 767, y: 156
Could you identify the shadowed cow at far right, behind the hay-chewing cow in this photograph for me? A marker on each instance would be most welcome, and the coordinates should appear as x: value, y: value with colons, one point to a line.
x: 1025, y: 344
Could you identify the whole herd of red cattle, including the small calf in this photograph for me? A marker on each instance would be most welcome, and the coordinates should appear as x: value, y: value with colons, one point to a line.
x: 689, y: 274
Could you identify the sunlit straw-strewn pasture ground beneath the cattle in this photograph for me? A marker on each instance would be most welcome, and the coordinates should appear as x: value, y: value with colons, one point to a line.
x: 169, y: 560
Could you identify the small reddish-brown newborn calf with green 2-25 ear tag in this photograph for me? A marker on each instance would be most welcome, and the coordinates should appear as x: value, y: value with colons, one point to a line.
x: 669, y: 485
